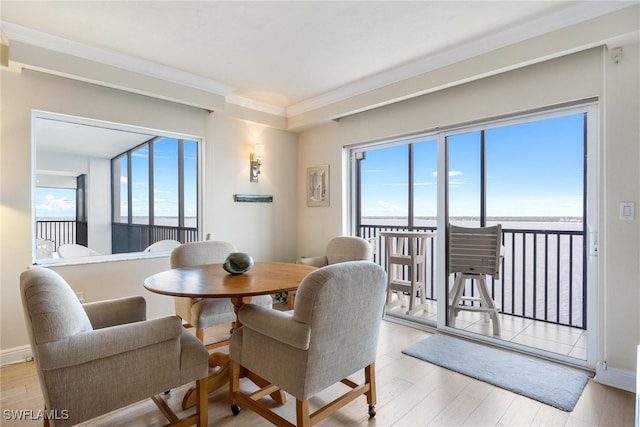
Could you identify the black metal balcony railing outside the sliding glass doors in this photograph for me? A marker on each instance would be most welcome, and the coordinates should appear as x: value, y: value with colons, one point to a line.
x: 542, y: 277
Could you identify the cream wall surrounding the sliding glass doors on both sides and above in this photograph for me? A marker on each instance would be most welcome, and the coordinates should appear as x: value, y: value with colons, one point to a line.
x: 569, y: 78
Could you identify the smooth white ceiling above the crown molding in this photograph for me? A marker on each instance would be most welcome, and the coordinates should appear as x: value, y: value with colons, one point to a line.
x: 284, y: 54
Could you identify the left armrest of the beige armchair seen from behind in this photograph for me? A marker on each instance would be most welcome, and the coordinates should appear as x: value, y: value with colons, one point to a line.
x: 275, y: 324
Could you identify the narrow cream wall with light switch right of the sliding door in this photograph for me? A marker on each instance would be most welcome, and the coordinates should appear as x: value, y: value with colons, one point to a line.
x: 619, y: 239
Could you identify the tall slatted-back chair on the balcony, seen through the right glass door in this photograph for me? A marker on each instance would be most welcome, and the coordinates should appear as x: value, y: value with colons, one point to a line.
x: 474, y: 253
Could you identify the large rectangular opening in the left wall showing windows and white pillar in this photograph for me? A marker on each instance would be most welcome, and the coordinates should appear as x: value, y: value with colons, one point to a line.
x: 152, y: 177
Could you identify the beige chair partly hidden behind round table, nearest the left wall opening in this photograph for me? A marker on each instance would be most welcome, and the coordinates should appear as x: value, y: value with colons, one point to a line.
x: 203, y: 313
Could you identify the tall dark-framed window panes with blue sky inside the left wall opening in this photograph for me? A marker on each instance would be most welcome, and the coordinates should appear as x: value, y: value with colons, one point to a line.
x: 162, y: 190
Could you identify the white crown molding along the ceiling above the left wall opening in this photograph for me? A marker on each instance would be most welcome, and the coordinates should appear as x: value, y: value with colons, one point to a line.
x: 115, y: 59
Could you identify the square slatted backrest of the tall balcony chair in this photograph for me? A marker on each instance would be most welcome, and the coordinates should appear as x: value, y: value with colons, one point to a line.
x: 475, y: 250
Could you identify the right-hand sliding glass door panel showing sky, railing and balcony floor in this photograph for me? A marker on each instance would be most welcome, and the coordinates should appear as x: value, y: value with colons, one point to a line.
x: 529, y: 177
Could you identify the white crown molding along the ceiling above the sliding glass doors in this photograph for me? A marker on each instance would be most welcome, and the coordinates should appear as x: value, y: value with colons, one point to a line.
x: 573, y: 15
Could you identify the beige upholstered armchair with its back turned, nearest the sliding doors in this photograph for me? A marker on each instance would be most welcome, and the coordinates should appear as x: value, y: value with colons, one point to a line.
x: 331, y: 334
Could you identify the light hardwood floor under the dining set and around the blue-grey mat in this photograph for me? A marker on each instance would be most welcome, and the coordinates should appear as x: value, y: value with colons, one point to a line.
x: 410, y: 393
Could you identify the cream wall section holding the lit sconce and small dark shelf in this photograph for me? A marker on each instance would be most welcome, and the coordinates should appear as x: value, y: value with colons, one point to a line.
x: 264, y: 230
